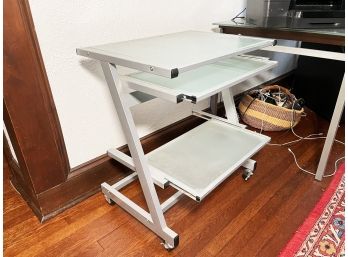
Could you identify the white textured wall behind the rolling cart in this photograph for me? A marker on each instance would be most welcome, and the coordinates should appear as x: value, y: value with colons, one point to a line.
x: 83, y: 103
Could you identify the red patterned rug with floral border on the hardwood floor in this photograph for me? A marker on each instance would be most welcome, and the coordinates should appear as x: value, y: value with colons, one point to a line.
x: 322, y: 233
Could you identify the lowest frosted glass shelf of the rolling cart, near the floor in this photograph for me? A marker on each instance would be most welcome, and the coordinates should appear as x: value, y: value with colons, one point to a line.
x: 199, y: 160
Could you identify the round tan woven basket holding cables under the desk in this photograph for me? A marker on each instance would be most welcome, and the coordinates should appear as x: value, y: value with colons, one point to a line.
x: 269, y: 117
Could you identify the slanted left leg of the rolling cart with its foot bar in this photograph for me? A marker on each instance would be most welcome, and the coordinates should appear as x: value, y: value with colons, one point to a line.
x: 155, y: 218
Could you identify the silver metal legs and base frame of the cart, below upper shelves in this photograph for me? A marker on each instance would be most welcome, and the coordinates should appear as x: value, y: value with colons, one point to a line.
x: 147, y: 174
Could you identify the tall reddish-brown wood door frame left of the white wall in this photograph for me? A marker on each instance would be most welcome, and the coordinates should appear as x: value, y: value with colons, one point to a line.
x: 29, y: 114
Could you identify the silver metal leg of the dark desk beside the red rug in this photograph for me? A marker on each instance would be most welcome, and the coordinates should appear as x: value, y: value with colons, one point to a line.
x: 331, y: 134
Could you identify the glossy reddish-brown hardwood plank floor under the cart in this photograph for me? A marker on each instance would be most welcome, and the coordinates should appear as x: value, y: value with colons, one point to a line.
x: 253, y: 218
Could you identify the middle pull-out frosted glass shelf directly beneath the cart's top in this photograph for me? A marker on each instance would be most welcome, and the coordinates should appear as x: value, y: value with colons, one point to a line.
x: 202, y: 82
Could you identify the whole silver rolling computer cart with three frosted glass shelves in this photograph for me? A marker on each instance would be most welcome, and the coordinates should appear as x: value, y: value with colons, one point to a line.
x: 186, y: 66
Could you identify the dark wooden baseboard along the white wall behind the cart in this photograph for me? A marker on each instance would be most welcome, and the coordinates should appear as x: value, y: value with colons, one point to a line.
x: 85, y: 180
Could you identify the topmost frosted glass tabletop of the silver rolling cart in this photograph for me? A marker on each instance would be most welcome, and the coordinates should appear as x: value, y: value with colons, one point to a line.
x: 177, y: 50
